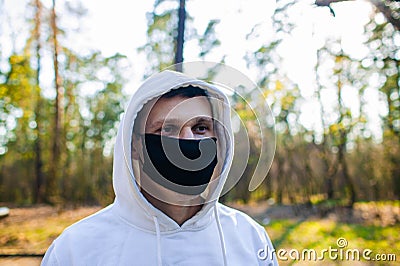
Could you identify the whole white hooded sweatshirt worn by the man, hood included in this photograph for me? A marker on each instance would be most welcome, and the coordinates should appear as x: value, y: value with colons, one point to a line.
x: 131, y: 231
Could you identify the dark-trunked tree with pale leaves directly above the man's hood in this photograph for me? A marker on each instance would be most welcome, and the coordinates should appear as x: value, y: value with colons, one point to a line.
x: 169, y: 27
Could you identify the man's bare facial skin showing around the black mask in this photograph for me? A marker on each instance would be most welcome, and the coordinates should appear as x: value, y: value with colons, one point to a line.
x: 179, y: 117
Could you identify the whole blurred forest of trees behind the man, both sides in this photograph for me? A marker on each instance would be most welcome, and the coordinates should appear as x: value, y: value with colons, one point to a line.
x: 56, y: 144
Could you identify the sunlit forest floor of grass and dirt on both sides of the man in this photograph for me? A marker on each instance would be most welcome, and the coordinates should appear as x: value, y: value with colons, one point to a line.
x: 27, y: 232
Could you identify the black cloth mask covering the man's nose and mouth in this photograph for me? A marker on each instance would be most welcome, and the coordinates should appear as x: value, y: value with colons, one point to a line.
x: 181, y: 165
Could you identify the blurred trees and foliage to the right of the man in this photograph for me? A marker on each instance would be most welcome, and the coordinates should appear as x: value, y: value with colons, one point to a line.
x: 336, y: 157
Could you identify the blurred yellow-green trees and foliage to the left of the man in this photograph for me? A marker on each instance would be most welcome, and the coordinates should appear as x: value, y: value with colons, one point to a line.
x: 90, y: 107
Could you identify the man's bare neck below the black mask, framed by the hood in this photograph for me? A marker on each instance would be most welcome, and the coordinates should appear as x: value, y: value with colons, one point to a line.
x: 179, y: 214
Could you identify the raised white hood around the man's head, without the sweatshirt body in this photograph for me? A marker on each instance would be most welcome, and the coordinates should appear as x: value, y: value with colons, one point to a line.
x: 129, y: 202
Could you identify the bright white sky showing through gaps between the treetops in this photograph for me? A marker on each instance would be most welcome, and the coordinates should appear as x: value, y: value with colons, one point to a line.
x: 119, y: 26
